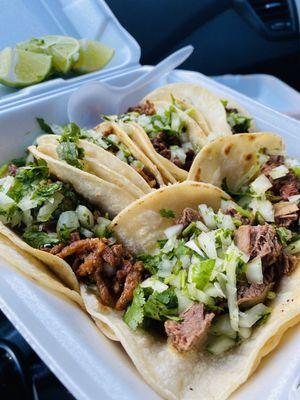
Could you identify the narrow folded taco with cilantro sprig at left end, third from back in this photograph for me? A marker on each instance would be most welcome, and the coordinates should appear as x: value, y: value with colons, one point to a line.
x: 107, y: 152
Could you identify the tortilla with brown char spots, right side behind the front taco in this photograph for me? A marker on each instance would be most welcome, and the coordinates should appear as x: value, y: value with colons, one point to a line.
x: 231, y: 157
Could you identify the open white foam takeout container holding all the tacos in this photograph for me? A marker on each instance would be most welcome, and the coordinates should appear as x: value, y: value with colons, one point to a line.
x: 89, y: 365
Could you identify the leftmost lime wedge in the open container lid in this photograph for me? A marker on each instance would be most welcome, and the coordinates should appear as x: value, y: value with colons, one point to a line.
x: 19, y: 68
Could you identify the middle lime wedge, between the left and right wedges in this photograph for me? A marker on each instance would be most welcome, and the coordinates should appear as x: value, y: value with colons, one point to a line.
x: 63, y: 49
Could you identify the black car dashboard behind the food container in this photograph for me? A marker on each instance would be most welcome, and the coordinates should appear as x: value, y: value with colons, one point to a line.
x: 229, y: 36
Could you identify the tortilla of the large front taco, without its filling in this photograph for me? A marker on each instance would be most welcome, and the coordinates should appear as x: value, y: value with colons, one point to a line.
x: 192, y: 375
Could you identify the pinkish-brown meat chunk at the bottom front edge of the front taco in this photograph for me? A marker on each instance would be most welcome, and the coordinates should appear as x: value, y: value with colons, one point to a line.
x: 192, y: 332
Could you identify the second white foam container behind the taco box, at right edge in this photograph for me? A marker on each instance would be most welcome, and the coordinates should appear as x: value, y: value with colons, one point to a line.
x: 266, y: 89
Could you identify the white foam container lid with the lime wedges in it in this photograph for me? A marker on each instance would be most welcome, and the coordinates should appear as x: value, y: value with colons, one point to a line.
x: 91, y: 19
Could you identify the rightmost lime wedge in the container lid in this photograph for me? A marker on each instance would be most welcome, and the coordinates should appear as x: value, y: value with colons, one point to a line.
x: 93, y: 56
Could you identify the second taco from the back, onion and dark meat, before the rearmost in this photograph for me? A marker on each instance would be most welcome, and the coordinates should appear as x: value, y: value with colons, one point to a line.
x: 169, y: 136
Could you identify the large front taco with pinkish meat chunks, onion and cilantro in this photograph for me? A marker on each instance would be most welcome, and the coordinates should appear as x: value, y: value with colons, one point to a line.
x: 213, y: 293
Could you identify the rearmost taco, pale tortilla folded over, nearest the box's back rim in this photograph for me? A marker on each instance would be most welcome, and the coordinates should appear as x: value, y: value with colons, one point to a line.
x: 217, y: 117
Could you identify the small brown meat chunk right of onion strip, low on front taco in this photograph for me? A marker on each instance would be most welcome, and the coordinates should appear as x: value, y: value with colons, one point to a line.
x: 249, y: 295
